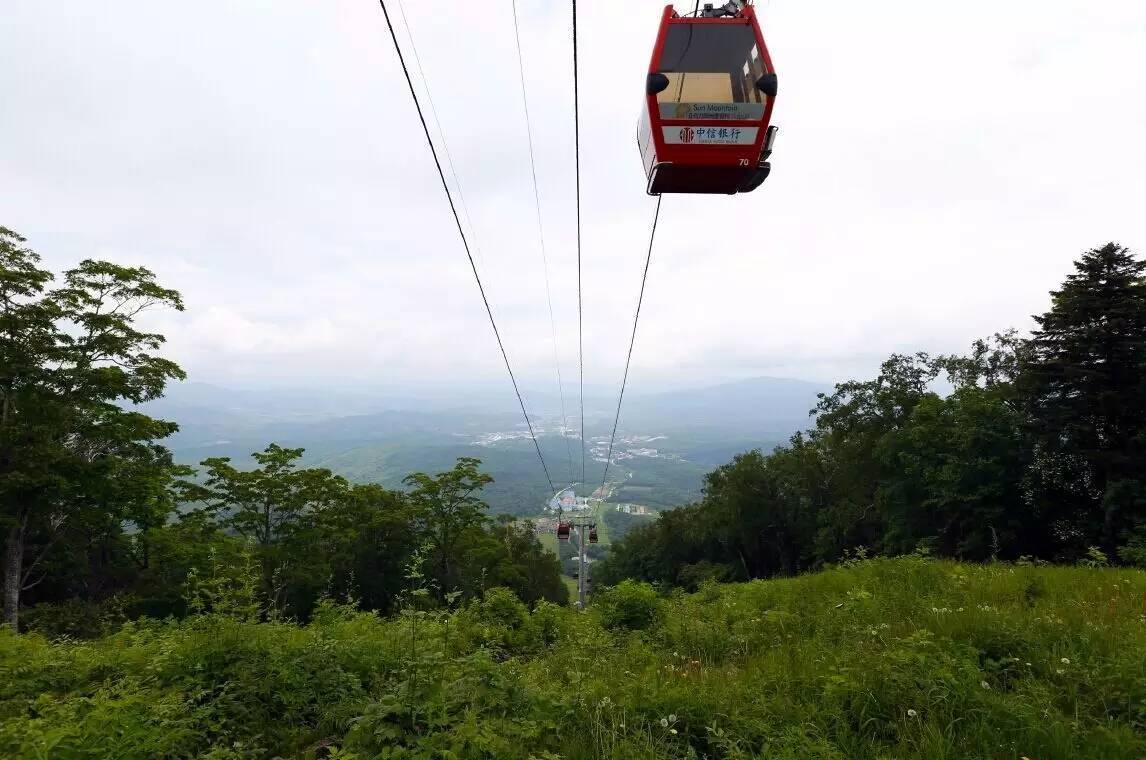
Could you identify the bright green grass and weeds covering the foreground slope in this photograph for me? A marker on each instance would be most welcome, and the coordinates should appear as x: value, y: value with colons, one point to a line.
x: 886, y: 659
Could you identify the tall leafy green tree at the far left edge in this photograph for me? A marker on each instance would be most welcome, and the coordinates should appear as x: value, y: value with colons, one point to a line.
x: 75, y: 465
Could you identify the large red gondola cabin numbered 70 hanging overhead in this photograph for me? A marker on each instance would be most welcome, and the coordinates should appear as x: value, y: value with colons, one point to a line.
x: 709, y: 103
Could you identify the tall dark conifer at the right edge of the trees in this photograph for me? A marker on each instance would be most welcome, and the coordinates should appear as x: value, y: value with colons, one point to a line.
x: 1086, y: 389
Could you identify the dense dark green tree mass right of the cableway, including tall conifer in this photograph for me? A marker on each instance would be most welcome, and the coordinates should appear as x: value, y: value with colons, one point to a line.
x: 1037, y: 452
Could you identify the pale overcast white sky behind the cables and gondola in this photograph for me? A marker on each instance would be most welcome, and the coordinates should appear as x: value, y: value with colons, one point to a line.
x: 938, y: 169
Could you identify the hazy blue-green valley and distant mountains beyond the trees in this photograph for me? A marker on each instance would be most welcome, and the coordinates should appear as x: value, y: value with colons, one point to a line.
x: 666, y: 442
